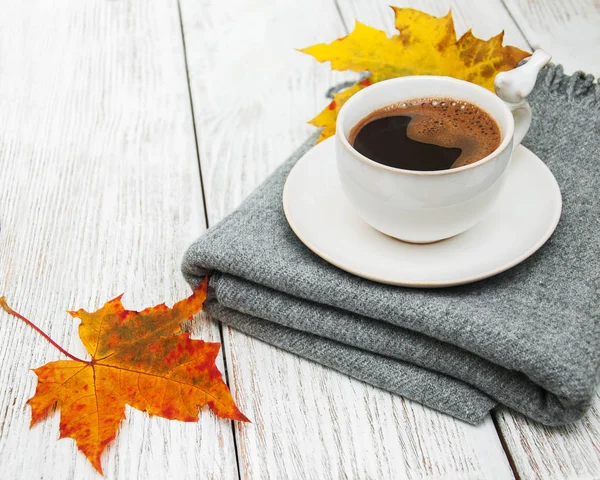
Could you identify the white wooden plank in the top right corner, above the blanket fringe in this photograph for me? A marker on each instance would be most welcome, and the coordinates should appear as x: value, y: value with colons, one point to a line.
x: 569, y: 30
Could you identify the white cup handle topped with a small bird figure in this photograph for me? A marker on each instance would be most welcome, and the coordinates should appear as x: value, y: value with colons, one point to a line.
x: 514, y: 86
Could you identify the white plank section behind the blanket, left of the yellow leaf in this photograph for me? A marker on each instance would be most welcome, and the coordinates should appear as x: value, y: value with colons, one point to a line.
x: 252, y: 92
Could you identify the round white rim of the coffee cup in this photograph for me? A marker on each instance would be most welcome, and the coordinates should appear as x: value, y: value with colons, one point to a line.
x: 508, y: 136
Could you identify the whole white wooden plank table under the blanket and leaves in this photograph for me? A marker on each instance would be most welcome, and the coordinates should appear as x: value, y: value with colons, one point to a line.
x: 129, y: 126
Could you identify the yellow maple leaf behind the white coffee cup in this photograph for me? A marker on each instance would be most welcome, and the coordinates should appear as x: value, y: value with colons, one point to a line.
x: 425, y: 45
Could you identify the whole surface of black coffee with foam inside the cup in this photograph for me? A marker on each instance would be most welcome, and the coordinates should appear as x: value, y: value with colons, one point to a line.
x: 426, y: 134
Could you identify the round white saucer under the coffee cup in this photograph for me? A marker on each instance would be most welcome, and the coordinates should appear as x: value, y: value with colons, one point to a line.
x: 523, y: 218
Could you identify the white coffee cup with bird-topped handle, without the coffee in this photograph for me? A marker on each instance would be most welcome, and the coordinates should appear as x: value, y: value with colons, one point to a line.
x: 427, y: 206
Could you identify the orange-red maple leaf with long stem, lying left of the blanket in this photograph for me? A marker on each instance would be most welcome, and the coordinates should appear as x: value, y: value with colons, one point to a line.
x: 139, y: 359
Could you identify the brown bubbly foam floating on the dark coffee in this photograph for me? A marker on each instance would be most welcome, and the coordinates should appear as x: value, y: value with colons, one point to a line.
x: 444, y: 122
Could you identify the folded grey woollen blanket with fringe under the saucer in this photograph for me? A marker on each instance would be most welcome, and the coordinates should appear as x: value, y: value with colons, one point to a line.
x: 527, y: 338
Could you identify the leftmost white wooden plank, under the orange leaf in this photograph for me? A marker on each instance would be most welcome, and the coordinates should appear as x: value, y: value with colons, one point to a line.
x: 100, y: 195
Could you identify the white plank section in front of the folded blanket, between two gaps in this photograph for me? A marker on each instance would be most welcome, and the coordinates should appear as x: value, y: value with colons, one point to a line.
x: 312, y: 422
